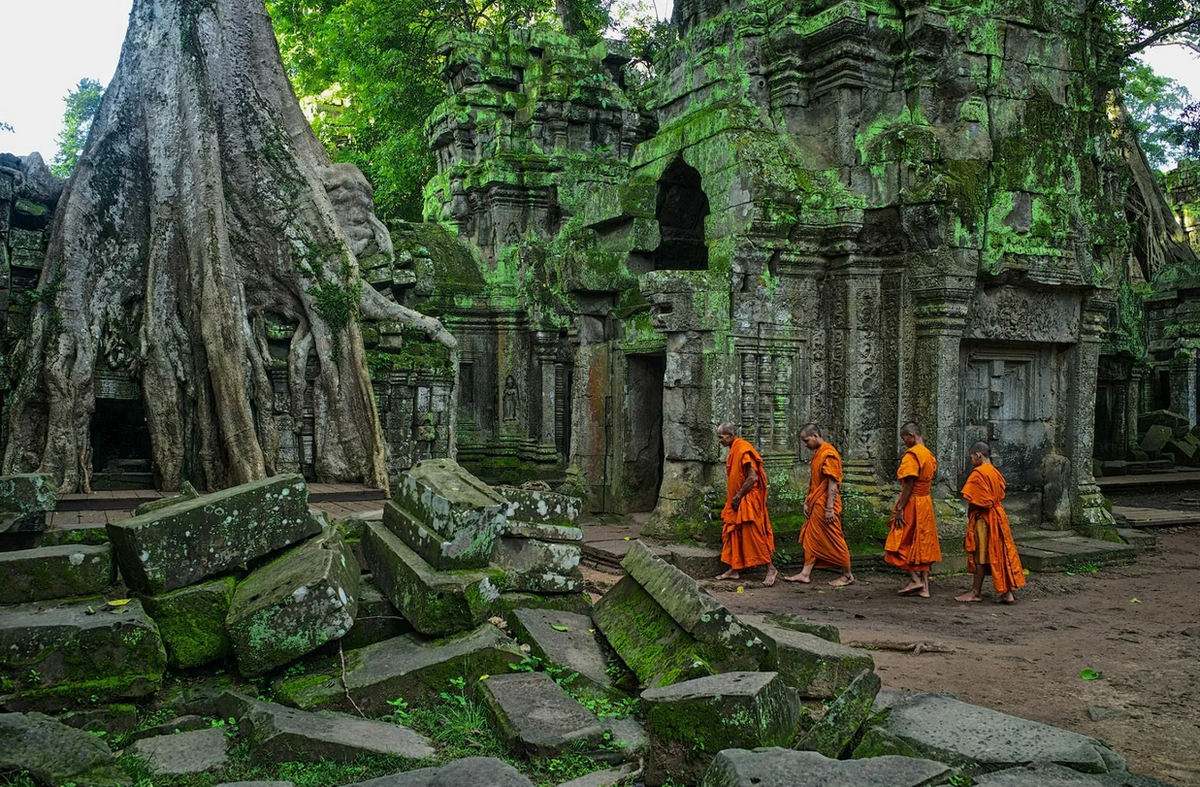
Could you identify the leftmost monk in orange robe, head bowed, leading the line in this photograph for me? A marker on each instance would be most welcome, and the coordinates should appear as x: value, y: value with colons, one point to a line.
x: 747, y: 538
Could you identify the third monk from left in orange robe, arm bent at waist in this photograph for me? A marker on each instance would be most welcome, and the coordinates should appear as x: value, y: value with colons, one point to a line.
x: 913, y: 543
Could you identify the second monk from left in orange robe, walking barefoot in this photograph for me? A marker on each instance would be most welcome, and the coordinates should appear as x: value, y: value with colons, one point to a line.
x: 824, y: 543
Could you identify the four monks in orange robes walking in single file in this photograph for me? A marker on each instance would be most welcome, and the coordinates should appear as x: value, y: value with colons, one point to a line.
x: 913, y: 545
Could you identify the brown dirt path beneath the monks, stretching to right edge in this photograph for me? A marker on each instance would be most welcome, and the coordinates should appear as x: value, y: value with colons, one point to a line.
x: 1027, y: 659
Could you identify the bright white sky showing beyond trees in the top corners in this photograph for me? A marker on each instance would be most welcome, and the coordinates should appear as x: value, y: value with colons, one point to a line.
x: 51, y: 45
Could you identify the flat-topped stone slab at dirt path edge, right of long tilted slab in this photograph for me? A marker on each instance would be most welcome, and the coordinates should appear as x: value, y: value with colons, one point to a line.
x: 813, y: 666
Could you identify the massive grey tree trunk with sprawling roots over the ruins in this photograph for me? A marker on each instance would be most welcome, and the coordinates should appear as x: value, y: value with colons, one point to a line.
x: 202, y: 208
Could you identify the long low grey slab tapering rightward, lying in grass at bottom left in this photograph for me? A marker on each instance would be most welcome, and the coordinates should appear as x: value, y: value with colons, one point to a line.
x: 285, y: 735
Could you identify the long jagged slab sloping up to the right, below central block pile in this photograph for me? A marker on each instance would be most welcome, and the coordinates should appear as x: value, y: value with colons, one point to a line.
x: 411, y: 668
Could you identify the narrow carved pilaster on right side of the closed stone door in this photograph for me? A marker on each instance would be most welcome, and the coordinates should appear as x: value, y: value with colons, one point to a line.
x: 1089, y: 514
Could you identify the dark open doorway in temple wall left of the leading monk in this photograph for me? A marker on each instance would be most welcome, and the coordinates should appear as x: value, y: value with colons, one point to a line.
x: 643, y: 458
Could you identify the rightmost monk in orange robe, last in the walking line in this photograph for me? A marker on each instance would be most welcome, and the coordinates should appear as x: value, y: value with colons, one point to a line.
x: 989, y: 540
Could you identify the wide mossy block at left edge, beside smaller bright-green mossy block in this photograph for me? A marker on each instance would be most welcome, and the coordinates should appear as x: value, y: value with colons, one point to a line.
x: 85, y: 651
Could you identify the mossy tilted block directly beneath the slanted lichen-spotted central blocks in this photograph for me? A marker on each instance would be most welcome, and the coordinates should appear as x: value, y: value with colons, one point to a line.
x: 435, y: 603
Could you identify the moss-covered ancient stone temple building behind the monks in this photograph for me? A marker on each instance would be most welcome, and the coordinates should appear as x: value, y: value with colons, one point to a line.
x: 854, y: 214
